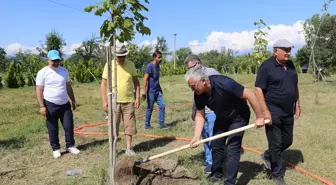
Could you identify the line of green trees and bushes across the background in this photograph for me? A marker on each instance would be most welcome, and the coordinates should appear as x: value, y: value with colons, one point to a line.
x: 87, y: 62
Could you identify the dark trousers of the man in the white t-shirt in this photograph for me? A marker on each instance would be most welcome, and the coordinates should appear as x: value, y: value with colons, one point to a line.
x: 64, y: 114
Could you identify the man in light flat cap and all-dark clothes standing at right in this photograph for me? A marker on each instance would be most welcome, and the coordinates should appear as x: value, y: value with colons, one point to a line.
x: 276, y: 88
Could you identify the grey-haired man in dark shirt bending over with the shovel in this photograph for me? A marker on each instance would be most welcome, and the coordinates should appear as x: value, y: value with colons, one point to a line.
x: 227, y: 99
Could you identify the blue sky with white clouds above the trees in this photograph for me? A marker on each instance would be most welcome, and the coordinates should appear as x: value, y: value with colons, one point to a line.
x: 201, y: 24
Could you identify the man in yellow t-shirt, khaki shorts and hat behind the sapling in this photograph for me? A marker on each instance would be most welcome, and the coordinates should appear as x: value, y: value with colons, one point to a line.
x: 127, y: 82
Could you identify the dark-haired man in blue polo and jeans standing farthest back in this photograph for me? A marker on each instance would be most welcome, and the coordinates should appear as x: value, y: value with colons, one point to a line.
x: 154, y: 91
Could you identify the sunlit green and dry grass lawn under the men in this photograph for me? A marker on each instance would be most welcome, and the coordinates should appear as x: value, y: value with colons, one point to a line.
x: 26, y: 157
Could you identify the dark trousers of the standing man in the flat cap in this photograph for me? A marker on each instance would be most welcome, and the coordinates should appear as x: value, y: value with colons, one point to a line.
x: 280, y: 137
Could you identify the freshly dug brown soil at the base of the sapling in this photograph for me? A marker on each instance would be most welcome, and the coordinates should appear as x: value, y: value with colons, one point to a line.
x: 160, y: 172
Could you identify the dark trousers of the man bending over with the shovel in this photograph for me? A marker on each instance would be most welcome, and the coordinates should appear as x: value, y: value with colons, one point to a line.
x: 234, y: 143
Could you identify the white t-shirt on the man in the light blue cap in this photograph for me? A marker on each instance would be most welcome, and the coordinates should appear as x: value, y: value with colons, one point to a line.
x: 54, y: 82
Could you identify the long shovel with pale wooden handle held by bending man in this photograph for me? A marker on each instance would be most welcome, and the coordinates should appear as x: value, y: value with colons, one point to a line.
x: 199, y: 142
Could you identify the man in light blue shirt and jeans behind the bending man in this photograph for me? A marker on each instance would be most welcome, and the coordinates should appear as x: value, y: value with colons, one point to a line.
x: 210, y: 117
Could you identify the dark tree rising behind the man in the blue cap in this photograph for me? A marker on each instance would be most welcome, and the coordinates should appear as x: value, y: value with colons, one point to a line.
x: 53, y: 40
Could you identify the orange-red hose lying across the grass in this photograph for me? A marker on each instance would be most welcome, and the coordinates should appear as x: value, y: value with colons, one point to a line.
x: 76, y: 131
